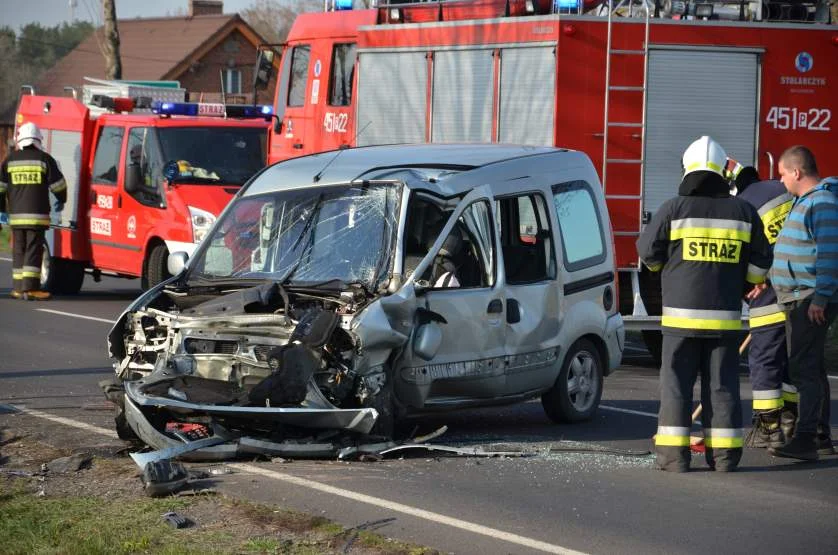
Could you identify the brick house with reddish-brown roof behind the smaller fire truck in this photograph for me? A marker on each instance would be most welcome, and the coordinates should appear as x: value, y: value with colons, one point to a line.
x: 204, y: 50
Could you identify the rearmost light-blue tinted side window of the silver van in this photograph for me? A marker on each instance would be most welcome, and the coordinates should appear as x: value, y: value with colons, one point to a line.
x: 583, y: 237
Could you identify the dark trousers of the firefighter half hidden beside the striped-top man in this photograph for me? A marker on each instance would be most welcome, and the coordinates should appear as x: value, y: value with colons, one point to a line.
x: 768, y: 362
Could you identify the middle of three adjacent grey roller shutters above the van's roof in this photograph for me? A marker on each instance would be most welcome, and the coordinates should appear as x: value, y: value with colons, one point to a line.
x: 462, y: 97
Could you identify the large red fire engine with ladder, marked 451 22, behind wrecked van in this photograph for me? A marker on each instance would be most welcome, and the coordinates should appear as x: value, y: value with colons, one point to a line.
x: 629, y: 89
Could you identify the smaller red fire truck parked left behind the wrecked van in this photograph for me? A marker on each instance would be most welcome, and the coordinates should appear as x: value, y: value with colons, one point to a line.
x: 140, y: 185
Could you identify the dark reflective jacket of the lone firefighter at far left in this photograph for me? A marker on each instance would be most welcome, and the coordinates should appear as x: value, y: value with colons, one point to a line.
x: 26, y: 178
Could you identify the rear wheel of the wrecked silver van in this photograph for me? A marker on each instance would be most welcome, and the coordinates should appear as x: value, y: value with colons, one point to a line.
x: 583, y: 363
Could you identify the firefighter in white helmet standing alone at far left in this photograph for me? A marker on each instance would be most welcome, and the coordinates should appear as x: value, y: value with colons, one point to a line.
x: 27, y: 177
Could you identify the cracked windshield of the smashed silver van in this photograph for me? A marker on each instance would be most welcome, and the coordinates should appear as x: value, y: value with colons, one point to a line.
x: 308, y: 236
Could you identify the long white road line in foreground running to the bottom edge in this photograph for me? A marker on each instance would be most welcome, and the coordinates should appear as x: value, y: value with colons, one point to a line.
x: 408, y: 510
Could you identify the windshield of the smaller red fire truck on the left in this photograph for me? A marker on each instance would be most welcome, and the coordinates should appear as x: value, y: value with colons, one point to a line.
x: 214, y: 155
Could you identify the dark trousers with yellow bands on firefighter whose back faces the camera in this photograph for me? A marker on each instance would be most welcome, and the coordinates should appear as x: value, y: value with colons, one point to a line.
x: 716, y: 360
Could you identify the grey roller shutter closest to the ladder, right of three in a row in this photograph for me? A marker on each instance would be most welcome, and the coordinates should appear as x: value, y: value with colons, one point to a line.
x: 527, y: 96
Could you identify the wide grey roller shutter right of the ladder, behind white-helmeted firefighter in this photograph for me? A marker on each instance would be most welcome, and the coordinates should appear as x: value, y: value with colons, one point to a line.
x: 694, y: 93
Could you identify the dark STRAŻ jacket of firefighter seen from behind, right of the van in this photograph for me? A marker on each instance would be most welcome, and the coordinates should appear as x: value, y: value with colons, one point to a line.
x: 707, y: 244
